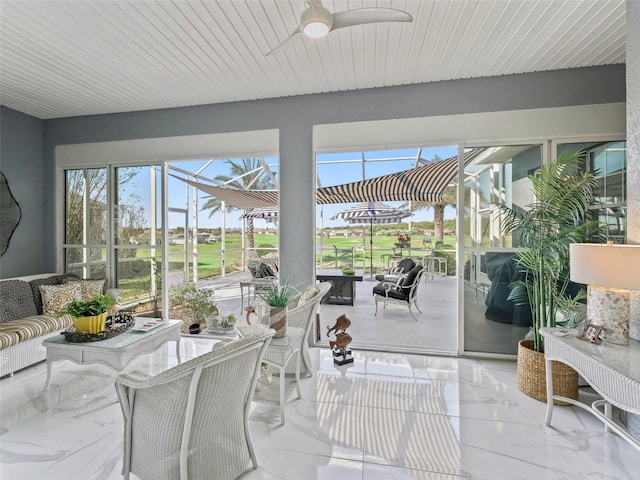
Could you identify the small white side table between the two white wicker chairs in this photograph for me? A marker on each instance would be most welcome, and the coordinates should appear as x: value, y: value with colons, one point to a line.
x: 279, y: 353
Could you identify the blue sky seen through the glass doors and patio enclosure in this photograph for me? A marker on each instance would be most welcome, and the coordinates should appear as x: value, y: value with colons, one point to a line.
x: 332, y: 169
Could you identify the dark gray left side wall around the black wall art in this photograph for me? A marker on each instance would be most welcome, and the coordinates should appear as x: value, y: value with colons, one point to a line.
x: 22, y: 162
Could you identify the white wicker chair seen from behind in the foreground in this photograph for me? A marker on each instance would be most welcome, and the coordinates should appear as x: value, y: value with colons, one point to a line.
x: 191, y: 421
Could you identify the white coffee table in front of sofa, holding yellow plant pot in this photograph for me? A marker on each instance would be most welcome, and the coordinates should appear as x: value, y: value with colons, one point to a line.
x: 116, y: 352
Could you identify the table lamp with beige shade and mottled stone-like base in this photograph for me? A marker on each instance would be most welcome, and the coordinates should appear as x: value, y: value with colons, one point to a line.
x: 610, y: 271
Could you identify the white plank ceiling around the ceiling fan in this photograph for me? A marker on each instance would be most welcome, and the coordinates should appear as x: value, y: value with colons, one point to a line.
x: 70, y: 58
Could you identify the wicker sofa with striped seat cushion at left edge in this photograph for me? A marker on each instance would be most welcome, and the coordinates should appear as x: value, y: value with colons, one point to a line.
x: 23, y: 326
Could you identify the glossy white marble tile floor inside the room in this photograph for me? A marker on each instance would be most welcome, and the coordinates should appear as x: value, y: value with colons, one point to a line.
x: 387, y: 416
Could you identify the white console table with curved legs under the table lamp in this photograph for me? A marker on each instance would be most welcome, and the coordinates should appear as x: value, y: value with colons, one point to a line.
x: 612, y: 370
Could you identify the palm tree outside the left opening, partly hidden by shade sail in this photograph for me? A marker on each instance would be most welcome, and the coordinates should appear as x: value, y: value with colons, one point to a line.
x: 247, y: 174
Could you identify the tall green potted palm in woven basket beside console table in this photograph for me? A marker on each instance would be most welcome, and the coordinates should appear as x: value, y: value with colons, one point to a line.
x: 544, y: 230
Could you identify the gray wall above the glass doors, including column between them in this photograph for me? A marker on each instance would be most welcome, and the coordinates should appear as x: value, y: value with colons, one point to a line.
x: 295, y: 116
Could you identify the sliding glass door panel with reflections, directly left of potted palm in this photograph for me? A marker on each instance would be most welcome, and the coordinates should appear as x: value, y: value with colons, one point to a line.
x: 493, y: 175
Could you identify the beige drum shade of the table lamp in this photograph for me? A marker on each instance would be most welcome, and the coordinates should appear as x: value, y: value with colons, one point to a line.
x: 615, y: 266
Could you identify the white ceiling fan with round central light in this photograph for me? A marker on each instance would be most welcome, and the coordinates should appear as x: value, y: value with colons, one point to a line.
x: 316, y: 21
